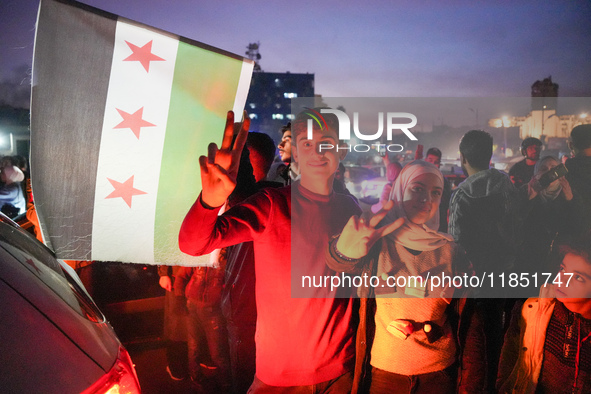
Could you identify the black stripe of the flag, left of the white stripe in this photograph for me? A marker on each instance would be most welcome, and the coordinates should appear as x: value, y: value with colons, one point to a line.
x: 71, y: 67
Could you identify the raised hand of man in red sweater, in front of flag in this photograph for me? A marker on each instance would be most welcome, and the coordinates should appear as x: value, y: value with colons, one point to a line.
x: 220, y: 168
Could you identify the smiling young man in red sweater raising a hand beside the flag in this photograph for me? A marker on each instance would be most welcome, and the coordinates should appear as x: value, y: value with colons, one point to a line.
x: 303, y: 342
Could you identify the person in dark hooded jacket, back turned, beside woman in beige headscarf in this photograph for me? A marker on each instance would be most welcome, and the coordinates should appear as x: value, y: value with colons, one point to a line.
x: 483, y: 220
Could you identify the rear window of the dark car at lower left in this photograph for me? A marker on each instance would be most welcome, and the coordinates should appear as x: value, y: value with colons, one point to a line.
x: 37, y: 259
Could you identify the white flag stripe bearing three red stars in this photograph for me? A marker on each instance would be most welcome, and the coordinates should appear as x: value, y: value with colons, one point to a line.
x: 121, y: 232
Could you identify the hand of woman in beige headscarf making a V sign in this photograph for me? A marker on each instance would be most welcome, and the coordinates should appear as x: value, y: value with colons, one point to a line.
x: 358, y: 236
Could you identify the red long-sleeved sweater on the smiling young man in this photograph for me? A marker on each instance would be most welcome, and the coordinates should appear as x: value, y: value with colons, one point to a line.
x: 299, y: 341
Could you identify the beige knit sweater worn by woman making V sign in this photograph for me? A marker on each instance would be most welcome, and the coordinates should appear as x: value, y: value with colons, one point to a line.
x: 390, y: 353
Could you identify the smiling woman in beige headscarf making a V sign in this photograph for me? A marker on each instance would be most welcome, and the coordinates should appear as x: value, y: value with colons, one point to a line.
x: 410, y: 338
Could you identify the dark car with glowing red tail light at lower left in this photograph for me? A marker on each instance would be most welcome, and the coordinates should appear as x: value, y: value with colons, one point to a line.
x: 54, y: 339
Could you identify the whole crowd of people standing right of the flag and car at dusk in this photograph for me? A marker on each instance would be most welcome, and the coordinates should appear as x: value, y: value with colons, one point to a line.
x: 252, y: 326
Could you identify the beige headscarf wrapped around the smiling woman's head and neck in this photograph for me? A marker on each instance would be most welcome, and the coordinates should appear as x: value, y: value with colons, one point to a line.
x: 422, y: 237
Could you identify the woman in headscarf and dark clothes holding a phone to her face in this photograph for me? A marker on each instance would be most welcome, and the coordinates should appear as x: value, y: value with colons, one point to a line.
x: 549, y: 215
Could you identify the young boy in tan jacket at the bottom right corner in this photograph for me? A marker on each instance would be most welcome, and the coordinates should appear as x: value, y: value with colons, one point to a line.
x: 547, y: 348
